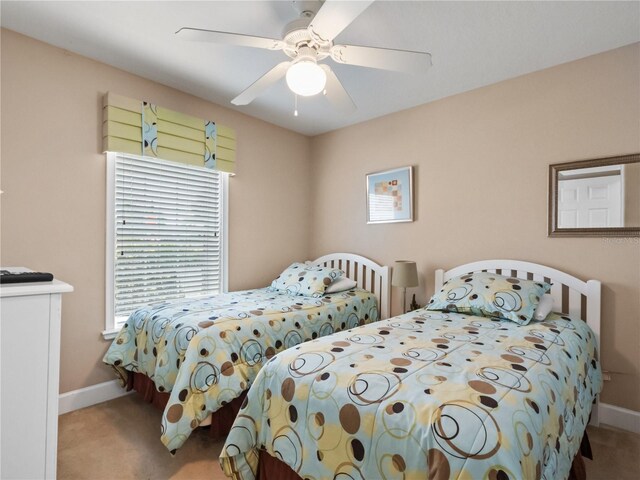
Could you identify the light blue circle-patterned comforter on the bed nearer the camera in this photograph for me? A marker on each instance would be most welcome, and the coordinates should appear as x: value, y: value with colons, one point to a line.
x: 424, y: 395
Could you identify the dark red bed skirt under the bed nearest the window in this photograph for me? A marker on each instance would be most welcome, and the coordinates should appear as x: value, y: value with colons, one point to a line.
x: 221, y: 420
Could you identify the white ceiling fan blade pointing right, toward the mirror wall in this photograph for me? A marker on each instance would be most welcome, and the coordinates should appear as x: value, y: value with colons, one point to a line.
x: 382, y: 58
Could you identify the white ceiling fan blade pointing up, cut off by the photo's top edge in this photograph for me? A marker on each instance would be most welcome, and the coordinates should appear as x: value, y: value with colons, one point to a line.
x: 335, y: 16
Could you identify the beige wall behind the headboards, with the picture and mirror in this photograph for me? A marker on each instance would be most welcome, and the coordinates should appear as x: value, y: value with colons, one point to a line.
x: 481, y: 161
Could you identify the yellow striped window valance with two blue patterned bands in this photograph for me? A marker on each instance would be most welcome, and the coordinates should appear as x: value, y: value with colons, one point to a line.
x: 142, y: 128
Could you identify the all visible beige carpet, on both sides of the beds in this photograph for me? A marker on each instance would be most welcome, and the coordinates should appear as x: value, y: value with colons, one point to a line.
x: 120, y: 439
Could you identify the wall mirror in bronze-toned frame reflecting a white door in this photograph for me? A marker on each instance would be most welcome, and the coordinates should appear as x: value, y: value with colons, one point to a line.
x: 599, y: 197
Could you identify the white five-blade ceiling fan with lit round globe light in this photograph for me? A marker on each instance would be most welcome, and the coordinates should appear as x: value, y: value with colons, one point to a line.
x: 308, y: 40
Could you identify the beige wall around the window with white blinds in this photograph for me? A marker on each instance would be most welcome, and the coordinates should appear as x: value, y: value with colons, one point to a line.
x: 53, y: 177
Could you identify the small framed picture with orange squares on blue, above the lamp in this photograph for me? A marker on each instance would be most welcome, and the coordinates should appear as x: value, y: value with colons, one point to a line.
x: 390, y: 196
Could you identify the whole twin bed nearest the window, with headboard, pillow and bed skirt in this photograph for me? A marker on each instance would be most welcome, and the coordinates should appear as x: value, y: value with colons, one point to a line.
x: 195, y: 359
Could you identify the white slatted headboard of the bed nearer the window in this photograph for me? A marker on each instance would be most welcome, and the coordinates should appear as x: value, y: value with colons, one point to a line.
x: 367, y: 273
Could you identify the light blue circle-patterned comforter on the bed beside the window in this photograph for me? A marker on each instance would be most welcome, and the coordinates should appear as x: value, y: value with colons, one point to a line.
x: 206, y: 352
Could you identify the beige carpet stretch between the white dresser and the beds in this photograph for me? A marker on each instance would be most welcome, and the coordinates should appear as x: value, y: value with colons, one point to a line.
x: 120, y: 439
